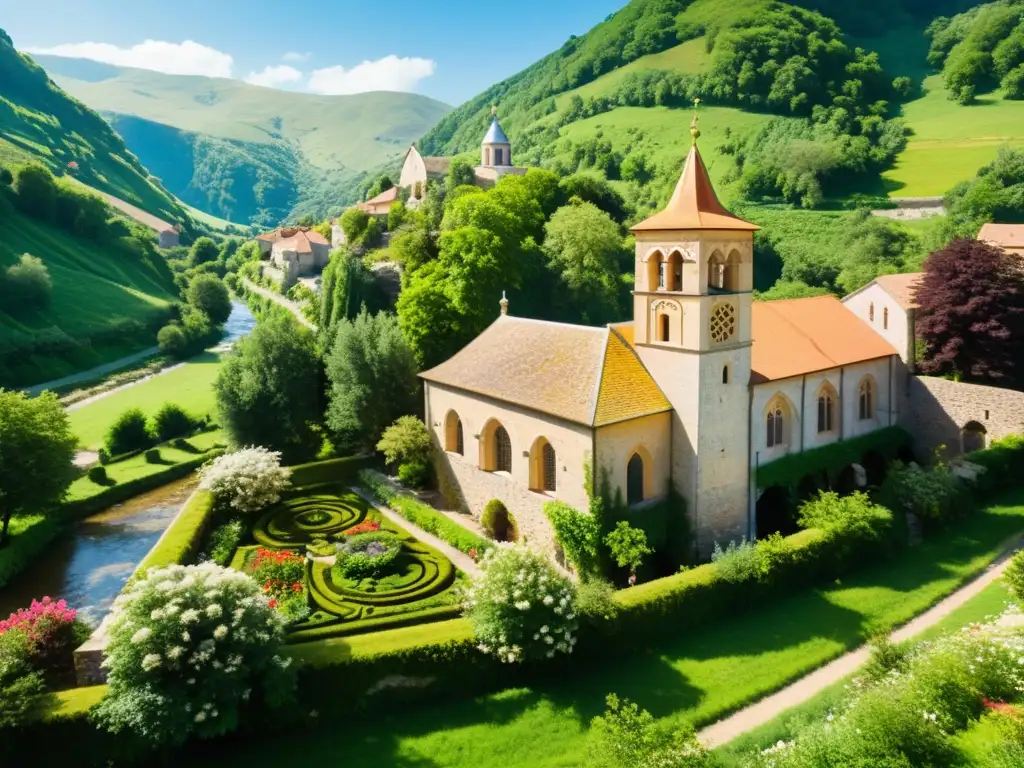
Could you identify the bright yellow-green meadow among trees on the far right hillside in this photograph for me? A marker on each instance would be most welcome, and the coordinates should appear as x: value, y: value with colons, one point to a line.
x: 951, y: 143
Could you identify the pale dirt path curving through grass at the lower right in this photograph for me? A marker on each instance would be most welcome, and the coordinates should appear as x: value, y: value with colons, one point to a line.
x: 772, y: 707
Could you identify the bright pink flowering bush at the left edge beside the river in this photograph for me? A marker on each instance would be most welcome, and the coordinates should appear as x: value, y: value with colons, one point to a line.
x: 53, y: 632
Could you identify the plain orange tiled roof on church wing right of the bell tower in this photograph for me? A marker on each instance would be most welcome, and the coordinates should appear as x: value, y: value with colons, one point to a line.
x: 800, y: 336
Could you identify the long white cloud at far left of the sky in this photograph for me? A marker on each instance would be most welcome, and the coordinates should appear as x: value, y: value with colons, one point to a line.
x: 189, y: 58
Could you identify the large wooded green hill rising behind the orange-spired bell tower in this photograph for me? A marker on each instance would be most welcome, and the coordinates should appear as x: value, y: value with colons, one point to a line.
x: 617, y: 102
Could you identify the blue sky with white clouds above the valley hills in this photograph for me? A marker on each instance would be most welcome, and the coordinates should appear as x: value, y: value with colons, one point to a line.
x: 448, y: 50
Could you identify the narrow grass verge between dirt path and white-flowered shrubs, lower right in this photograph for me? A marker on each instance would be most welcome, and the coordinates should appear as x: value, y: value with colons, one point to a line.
x: 991, y: 603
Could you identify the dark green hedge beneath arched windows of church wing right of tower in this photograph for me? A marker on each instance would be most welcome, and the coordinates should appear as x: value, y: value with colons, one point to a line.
x: 833, y: 459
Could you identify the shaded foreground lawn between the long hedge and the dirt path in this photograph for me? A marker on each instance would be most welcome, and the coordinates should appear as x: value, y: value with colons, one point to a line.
x: 701, y: 677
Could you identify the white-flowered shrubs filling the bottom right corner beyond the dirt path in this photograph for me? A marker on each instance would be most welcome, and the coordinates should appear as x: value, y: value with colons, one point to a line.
x: 909, y: 717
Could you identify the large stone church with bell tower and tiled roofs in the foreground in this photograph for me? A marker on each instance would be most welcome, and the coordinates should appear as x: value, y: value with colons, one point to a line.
x: 697, y: 392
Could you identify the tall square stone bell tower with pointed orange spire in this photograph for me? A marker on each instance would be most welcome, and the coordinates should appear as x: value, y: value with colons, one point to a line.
x: 695, y: 280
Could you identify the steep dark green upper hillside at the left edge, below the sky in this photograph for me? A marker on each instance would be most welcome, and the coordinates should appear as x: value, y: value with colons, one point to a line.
x: 39, y: 122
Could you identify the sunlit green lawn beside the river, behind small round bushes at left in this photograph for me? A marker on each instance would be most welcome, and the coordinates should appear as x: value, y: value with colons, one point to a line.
x: 190, y: 386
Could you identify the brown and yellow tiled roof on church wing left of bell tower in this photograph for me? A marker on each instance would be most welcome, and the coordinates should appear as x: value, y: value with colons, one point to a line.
x: 585, y: 375
